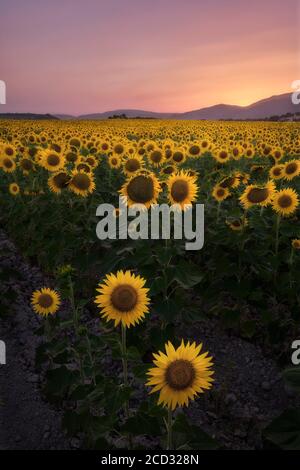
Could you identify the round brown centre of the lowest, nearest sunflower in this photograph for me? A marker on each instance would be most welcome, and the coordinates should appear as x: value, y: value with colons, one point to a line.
x: 180, y: 374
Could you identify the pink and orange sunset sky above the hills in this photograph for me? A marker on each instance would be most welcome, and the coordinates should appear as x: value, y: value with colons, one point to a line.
x: 86, y: 56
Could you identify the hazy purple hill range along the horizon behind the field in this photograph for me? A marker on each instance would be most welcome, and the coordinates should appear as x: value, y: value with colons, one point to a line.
x: 277, y: 105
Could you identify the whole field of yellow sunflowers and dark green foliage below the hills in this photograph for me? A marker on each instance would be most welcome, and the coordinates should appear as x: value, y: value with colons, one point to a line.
x: 120, y: 351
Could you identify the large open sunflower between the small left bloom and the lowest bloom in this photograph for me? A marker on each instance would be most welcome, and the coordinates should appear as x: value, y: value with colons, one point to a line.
x: 123, y: 298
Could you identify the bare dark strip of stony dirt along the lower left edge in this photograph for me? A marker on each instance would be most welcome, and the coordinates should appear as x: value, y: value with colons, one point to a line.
x: 26, y: 421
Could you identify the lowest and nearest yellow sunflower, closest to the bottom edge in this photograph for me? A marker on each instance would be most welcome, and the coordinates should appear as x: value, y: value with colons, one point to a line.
x: 180, y: 374
